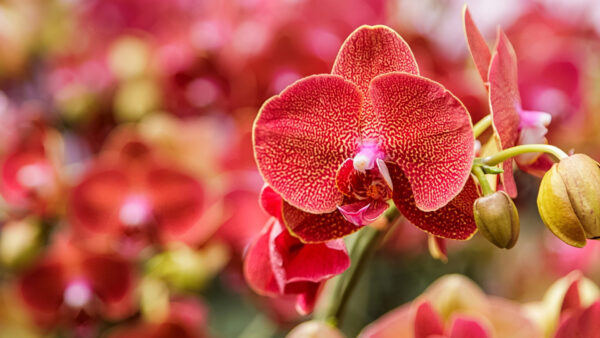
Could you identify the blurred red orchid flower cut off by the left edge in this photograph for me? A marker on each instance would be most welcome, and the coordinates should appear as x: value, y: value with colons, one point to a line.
x: 29, y: 178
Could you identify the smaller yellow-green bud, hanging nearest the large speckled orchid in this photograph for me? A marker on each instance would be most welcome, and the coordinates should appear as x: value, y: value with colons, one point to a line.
x: 497, y: 219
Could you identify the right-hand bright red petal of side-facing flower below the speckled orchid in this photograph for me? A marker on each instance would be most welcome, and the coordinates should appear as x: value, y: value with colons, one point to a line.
x: 294, y: 261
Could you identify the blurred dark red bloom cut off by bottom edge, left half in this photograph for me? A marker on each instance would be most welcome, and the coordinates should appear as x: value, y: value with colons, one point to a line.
x: 187, y: 318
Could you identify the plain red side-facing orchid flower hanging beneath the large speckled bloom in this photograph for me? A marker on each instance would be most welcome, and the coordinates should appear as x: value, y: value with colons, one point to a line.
x: 277, y: 263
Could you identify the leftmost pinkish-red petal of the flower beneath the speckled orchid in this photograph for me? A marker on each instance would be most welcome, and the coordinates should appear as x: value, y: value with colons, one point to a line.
x: 257, y: 264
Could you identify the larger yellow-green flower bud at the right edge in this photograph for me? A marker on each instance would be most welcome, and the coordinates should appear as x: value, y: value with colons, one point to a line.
x: 569, y: 199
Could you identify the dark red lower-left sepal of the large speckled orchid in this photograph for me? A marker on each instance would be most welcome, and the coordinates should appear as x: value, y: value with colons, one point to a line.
x: 314, y: 228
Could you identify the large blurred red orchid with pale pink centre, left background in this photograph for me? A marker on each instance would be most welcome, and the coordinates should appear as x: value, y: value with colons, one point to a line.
x: 129, y: 195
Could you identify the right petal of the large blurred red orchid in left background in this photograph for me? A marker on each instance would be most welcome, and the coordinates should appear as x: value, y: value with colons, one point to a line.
x: 177, y: 199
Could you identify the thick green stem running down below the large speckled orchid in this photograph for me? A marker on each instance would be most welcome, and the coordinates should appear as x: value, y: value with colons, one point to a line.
x: 362, y: 248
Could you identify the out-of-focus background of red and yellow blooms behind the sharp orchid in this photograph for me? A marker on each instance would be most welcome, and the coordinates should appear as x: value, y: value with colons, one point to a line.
x: 128, y: 185
